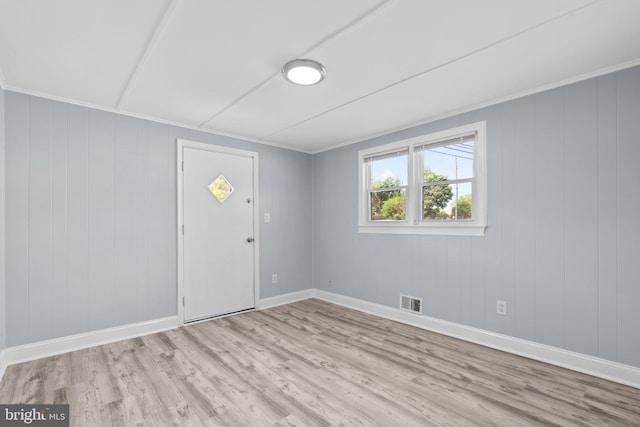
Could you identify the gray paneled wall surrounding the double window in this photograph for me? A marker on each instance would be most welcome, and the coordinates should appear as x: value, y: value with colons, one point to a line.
x: 563, y: 241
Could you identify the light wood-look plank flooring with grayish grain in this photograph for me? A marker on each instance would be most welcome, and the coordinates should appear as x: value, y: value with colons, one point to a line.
x: 312, y: 363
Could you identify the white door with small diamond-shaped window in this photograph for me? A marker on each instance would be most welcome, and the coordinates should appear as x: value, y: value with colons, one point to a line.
x: 218, y: 249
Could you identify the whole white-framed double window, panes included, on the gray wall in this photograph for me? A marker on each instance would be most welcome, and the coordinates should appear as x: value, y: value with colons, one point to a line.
x: 433, y: 184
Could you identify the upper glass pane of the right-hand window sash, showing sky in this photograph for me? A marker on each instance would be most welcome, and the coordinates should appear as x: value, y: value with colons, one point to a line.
x: 449, y: 162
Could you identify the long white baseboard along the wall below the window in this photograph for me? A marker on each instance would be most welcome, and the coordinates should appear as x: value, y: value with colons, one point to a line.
x: 597, y: 367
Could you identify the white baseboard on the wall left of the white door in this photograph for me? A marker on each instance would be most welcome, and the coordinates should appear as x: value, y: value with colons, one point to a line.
x: 38, y: 350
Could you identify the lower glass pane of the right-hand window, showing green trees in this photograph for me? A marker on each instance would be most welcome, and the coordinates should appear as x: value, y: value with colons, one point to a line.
x: 447, y: 202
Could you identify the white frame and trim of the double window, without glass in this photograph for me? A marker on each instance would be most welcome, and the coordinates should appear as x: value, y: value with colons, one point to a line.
x: 414, y: 224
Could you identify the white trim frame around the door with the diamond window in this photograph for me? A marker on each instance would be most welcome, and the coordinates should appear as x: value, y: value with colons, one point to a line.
x: 180, y: 146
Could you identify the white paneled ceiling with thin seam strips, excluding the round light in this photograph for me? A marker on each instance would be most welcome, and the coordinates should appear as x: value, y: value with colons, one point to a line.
x: 215, y: 64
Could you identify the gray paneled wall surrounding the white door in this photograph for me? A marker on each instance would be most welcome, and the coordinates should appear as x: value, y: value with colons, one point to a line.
x: 90, y: 218
